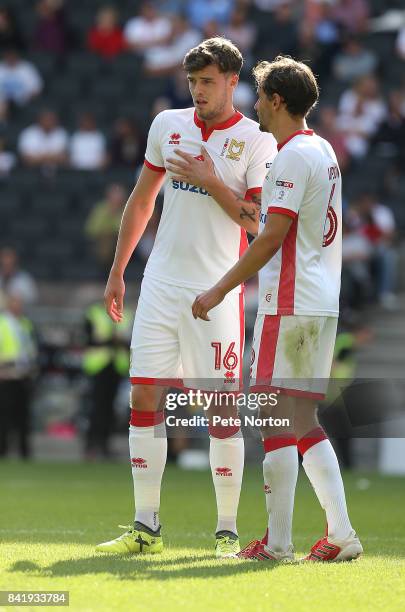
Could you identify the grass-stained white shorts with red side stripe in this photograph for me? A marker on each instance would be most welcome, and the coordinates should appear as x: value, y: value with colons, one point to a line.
x: 293, y: 354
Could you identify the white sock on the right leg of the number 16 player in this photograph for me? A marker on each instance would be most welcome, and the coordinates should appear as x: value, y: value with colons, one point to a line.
x: 227, y: 457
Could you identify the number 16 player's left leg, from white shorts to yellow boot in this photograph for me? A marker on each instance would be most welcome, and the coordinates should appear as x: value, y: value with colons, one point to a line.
x: 154, y: 364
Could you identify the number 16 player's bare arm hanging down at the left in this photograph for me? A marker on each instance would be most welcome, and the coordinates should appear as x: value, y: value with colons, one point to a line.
x: 137, y: 212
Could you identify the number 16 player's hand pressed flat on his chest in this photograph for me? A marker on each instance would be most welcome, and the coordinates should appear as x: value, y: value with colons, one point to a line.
x: 195, y: 171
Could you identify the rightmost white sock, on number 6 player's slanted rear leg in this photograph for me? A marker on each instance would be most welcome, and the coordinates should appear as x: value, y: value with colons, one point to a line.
x: 322, y: 468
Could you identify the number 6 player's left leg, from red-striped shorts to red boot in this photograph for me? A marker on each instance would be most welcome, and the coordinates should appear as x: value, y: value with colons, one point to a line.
x: 280, y: 464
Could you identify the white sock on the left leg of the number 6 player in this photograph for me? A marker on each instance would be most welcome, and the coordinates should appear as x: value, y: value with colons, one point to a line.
x: 280, y: 472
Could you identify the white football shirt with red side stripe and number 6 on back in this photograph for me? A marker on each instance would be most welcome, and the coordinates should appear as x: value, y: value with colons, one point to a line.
x: 304, y: 182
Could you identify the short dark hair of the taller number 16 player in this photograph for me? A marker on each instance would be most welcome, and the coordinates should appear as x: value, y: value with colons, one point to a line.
x: 215, y: 51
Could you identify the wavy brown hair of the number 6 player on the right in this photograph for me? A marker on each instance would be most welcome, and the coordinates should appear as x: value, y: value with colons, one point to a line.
x: 293, y: 81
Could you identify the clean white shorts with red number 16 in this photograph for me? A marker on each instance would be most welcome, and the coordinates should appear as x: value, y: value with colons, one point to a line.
x: 169, y: 347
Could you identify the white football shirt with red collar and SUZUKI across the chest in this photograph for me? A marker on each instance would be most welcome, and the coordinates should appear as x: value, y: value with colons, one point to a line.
x: 197, y: 242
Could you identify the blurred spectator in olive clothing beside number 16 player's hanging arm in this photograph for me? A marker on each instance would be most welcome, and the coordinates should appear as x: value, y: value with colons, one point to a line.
x: 103, y: 223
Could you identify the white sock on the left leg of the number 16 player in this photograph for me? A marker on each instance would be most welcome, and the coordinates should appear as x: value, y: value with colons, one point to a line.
x: 148, y: 452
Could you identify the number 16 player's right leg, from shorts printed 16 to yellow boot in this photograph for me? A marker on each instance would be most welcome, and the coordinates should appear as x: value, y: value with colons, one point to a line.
x: 211, y: 355
